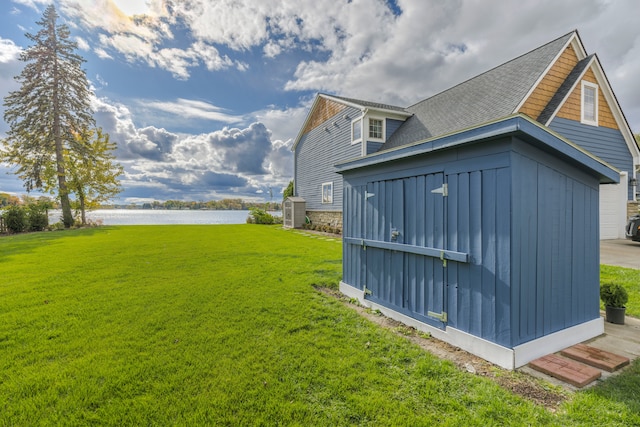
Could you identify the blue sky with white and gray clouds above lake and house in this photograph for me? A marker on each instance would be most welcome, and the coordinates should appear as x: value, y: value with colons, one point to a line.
x: 205, y: 97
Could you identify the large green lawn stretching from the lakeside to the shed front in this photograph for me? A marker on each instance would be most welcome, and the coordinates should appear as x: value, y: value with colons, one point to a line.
x: 221, y: 325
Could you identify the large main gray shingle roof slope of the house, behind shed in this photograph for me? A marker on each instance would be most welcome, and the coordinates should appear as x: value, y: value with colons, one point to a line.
x: 489, y: 96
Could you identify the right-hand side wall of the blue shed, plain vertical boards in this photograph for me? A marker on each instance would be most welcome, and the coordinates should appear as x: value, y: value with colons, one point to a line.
x: 555, y: 280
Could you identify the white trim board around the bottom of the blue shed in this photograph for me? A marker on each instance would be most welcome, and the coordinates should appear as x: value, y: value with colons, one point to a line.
x: 502, y: 356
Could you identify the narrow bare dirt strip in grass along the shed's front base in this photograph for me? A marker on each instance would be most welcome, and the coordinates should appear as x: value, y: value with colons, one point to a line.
x: 534, y: 389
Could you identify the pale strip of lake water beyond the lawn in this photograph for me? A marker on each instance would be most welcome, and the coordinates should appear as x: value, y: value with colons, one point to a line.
x: 158, y: 217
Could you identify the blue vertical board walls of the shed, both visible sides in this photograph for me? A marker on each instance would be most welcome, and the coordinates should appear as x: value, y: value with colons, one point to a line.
x: 527, y: 220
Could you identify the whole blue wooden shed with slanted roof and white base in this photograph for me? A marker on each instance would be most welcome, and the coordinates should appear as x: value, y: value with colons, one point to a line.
x: 486, y: 238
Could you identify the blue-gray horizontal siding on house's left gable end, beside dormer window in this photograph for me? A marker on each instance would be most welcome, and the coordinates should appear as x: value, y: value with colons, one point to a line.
x: 315, y: 156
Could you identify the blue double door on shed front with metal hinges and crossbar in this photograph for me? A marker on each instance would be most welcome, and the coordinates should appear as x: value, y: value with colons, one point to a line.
x: 404, y: 246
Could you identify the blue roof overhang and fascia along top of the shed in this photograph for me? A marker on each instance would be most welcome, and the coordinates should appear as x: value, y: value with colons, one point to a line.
x: 519, y: 125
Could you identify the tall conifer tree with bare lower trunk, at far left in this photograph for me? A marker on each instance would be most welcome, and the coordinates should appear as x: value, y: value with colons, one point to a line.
x: 49, y: 110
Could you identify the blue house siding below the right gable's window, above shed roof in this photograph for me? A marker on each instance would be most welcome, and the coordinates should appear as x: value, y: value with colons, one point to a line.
x: 606, y: 143
